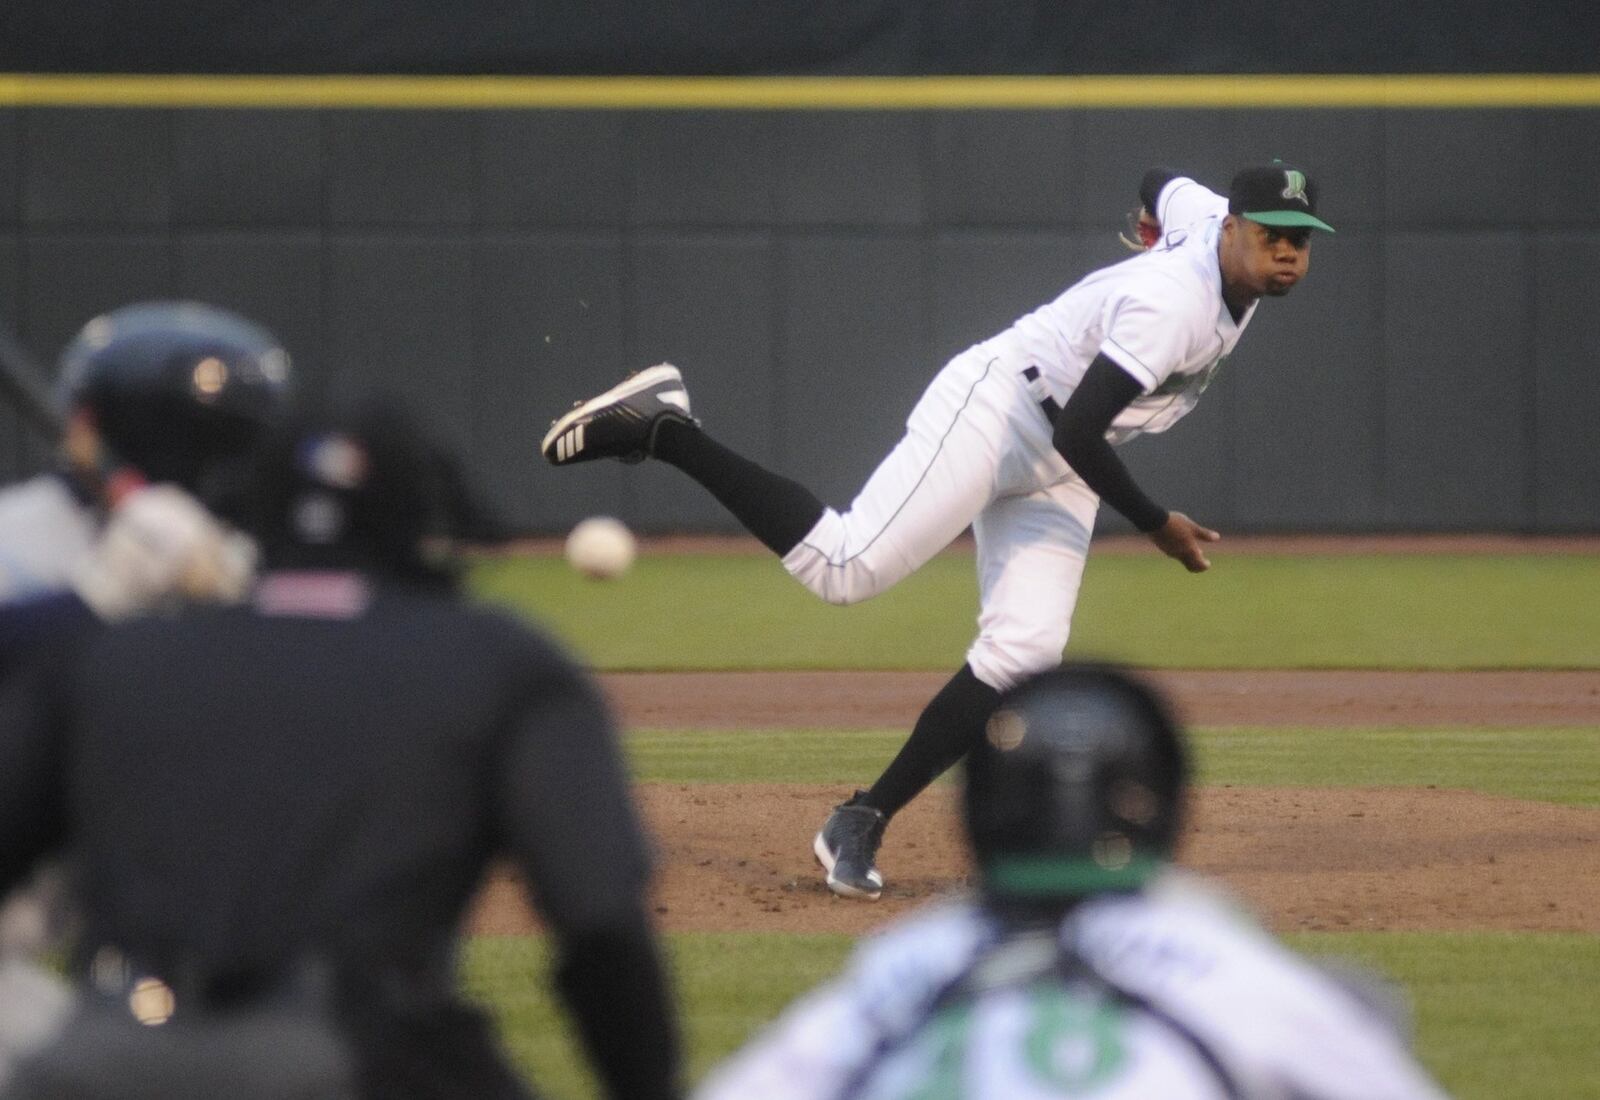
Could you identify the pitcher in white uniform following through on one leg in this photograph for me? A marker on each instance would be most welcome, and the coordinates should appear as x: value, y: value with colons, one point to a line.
x: 1014, y: 439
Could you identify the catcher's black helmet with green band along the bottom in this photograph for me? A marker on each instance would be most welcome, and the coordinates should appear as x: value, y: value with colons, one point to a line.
x: 1078, y: 786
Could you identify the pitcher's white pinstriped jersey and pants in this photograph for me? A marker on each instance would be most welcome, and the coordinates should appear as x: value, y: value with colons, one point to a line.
x: 978, y: 445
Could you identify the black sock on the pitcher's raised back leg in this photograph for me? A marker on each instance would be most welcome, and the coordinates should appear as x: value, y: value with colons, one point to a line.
x: 770, y: 506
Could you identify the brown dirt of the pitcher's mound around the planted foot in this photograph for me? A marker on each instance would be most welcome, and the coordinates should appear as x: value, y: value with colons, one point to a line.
x: 738, y: 858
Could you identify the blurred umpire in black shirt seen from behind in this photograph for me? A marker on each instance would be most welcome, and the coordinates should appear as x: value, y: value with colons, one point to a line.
x: 282, y: 811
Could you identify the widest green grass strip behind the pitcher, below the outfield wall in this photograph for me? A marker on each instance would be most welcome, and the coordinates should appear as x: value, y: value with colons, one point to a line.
x: 1250, y: 612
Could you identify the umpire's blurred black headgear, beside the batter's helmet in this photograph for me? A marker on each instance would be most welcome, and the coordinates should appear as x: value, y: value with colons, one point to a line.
x: 354, y: 484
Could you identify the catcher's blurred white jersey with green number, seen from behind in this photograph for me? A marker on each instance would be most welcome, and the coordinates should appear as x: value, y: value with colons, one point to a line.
x: 1194, y: 1003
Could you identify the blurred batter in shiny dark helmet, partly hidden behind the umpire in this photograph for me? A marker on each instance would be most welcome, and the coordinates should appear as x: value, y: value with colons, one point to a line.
x: 161, y: 402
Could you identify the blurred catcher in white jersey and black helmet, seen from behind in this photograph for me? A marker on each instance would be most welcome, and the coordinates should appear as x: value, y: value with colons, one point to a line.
x: 1087, y: 966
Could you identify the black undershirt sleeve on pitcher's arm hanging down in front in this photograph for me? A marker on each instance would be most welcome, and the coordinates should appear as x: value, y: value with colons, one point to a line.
x: 1081, y: 439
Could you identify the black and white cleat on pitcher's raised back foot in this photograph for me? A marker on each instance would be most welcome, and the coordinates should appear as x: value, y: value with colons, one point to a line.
x: 622, y: 423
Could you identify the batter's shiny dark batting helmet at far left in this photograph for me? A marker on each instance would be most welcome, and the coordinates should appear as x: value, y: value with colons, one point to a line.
x: 175, y: 388
